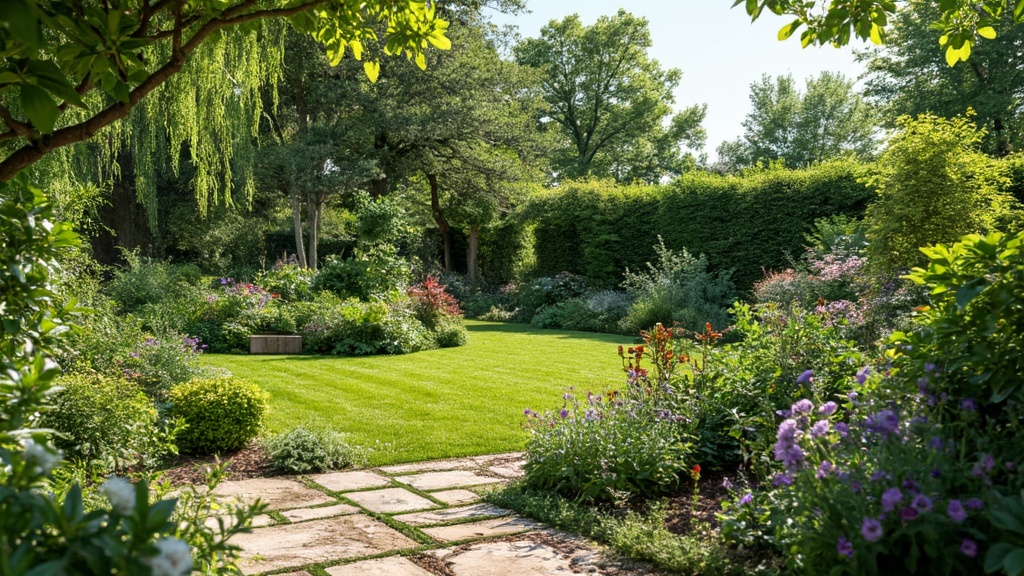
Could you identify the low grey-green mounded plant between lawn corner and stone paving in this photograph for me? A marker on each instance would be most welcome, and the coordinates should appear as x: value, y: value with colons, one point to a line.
x: 312, y: 449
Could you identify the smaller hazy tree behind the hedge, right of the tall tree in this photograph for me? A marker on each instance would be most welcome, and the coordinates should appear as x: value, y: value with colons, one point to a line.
x: 828, y: 120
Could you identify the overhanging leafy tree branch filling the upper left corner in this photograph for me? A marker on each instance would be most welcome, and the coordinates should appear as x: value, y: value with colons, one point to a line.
x: 71, y: 70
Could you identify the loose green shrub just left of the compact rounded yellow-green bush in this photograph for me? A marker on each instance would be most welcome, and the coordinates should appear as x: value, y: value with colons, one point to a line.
x: 106, y: 423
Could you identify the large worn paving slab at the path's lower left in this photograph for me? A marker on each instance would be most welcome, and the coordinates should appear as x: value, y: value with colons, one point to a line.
x: 320, y: 541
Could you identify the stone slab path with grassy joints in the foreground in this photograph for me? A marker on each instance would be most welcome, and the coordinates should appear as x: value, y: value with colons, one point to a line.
x: 411, y: 520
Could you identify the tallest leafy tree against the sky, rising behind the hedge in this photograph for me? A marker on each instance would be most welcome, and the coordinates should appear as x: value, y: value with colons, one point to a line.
x: 610, y: 102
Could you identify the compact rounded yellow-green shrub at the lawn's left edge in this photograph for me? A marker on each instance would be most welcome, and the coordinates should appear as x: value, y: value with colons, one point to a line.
x: 221, y: 415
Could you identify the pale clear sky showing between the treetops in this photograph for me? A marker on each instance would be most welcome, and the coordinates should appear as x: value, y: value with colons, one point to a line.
x: 718, y: 50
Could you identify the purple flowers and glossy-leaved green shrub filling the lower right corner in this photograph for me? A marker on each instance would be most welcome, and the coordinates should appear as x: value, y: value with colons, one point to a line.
x: 918, y: 469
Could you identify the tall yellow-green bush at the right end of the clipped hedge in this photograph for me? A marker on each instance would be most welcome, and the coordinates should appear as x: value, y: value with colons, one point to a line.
x: 934, y: 186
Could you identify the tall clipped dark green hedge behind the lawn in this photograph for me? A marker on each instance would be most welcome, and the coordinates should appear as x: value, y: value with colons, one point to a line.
x: 599, y: 229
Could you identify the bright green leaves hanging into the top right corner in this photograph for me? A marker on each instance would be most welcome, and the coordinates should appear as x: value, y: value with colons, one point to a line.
x: 961, y: 23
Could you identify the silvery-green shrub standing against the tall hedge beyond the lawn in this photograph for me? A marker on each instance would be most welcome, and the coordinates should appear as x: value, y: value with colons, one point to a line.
x: 678, y: 291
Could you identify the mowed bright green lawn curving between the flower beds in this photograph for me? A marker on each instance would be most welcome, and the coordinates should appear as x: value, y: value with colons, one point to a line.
x: 436, y: 404
